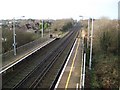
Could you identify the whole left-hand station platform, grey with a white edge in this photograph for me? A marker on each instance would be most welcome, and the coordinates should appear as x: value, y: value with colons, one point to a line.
x: 9, y: 61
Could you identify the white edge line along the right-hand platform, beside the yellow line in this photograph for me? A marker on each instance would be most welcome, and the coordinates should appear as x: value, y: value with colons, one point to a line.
x: 65, y: 65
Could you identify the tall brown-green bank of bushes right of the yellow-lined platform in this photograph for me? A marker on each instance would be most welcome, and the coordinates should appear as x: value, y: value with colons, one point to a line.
x: 105, y: 54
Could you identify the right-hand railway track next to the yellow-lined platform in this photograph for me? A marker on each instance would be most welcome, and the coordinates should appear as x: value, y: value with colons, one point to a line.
x: 56, y: 69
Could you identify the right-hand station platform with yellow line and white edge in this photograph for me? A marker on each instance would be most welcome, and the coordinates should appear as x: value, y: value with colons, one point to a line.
x: 71, y: 74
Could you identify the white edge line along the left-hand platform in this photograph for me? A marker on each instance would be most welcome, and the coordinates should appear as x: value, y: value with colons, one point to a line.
x: 25, y: 56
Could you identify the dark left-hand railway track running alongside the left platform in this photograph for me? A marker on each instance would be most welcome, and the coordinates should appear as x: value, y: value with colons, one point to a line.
x: 23, y: 68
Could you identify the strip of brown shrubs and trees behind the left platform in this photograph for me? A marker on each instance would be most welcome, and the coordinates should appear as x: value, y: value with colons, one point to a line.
x: 24, y: 37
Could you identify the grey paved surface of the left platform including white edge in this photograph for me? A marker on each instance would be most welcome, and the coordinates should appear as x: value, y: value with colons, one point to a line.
x: 8, y: 63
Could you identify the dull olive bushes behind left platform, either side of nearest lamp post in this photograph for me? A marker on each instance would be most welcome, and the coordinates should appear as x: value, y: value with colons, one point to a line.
x: 21, y: 39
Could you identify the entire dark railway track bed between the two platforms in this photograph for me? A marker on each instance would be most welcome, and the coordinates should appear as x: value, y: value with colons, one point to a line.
x: 38, y: 71
